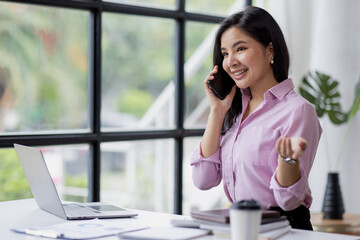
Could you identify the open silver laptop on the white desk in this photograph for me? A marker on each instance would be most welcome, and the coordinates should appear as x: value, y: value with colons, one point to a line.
x: 47, y: 198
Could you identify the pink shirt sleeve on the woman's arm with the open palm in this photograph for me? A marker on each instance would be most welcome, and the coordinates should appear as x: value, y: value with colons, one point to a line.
x: 302, y: 123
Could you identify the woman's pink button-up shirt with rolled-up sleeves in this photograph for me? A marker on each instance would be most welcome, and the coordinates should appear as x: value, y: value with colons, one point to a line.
x: 247, y: 160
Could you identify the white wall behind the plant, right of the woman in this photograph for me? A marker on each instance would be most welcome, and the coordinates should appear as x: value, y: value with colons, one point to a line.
x: 324, y: 35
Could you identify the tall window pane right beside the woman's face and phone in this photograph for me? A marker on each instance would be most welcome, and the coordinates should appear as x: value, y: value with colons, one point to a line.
x: 198, y: 57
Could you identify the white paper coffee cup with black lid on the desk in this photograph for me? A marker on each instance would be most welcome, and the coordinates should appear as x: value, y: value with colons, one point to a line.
x: 245, y: 220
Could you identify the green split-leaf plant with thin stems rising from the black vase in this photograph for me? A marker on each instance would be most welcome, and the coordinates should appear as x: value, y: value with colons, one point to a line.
x: 321, y: 90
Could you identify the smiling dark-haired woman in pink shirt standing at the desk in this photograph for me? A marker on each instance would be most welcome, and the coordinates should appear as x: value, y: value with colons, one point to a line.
x: 261, y: 140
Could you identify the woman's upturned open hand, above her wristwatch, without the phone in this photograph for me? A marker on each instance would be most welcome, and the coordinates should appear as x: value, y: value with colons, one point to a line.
x: 292, y: 147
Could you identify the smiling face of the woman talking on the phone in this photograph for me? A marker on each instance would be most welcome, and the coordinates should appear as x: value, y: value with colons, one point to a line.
x: 246, y: 60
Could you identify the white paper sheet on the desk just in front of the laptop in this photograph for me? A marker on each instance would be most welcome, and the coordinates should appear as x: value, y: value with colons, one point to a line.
x: 80, y: 229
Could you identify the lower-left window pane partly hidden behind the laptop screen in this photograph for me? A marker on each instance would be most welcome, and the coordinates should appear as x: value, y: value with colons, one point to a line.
x: 68, y: 167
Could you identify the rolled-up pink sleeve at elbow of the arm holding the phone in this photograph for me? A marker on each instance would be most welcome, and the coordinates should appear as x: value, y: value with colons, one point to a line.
x: 206, y: 172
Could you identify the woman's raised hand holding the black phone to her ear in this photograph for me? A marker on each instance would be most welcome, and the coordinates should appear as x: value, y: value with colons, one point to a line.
x: 217, y: 104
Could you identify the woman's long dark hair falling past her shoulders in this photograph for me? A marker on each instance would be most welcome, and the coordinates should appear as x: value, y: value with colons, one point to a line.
x: 261, y: 26
